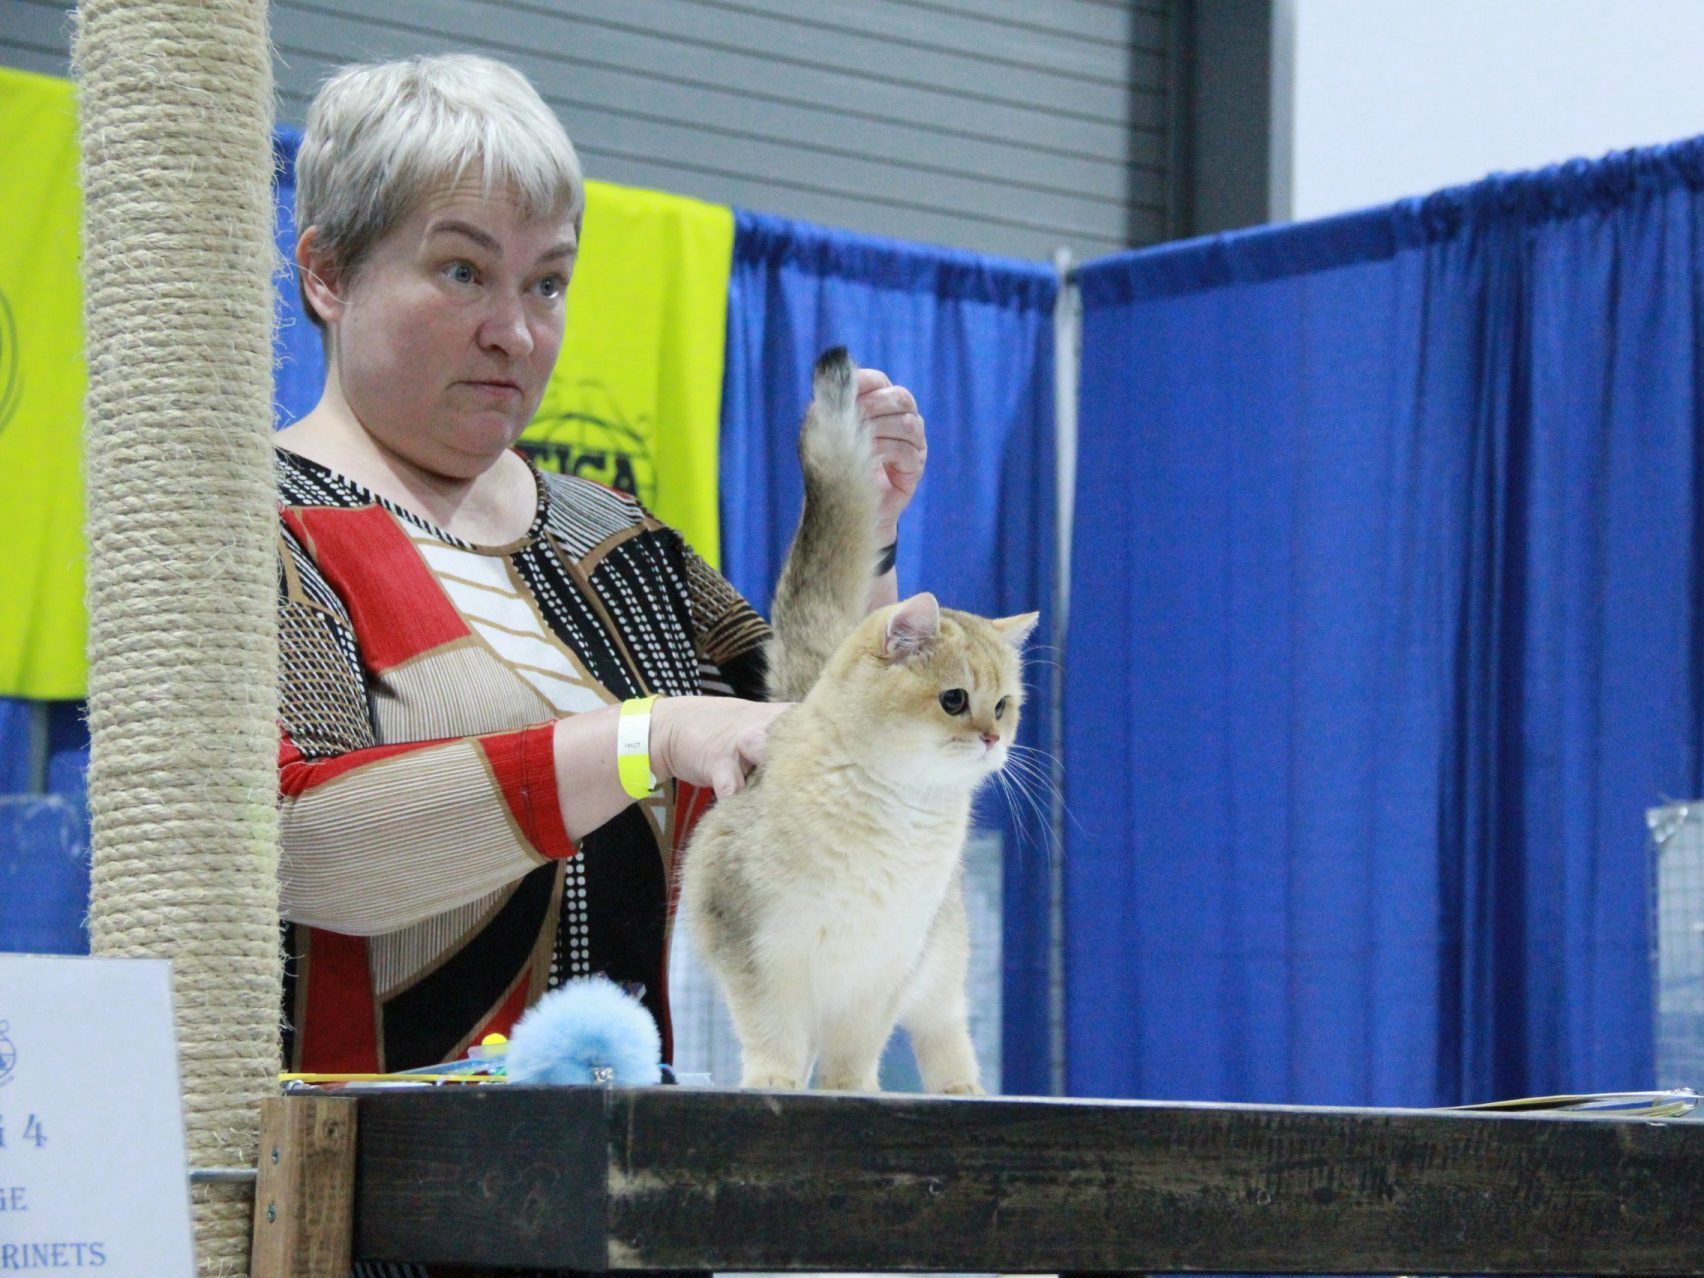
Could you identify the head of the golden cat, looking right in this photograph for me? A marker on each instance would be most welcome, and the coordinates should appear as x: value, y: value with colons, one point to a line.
x: 933, y: 691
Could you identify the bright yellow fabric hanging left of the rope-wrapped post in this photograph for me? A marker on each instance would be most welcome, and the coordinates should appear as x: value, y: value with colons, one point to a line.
x: 42, y: 393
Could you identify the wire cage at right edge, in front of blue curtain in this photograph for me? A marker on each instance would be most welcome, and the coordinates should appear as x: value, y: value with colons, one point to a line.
x: 1678, y: 902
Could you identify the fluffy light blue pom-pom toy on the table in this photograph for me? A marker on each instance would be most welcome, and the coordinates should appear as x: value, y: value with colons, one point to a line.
x: 587, y: 1032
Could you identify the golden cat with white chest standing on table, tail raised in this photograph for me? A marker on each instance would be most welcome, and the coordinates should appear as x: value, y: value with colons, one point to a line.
x: 827, y: 897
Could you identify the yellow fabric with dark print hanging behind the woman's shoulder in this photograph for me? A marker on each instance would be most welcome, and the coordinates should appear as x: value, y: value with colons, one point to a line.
x: 638, y: 391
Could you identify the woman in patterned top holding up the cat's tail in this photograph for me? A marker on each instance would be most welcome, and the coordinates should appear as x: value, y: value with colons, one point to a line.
x: 469, y: 645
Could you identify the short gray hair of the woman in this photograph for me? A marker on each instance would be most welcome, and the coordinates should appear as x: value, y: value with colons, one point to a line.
x: 383, y: 137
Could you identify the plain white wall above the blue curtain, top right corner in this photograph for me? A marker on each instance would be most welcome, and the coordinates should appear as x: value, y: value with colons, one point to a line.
x: 1379, y: 100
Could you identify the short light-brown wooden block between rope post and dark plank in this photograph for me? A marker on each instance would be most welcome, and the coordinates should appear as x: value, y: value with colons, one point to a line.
x: 304, y: 1195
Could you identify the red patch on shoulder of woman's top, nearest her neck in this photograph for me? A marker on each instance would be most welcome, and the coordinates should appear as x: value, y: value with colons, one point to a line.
x: 396, y: 604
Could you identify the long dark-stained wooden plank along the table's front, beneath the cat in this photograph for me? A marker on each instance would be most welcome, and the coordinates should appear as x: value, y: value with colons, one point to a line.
x: 715, y: 1180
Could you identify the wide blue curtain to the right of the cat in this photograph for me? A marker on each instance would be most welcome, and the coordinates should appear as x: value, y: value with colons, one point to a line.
x: 1384, y: 635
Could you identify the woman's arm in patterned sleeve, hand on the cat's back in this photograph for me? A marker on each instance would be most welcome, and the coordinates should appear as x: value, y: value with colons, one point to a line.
x: 377, y: 838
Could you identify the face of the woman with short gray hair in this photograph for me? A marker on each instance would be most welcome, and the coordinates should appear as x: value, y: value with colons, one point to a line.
x: 451, y: 328
